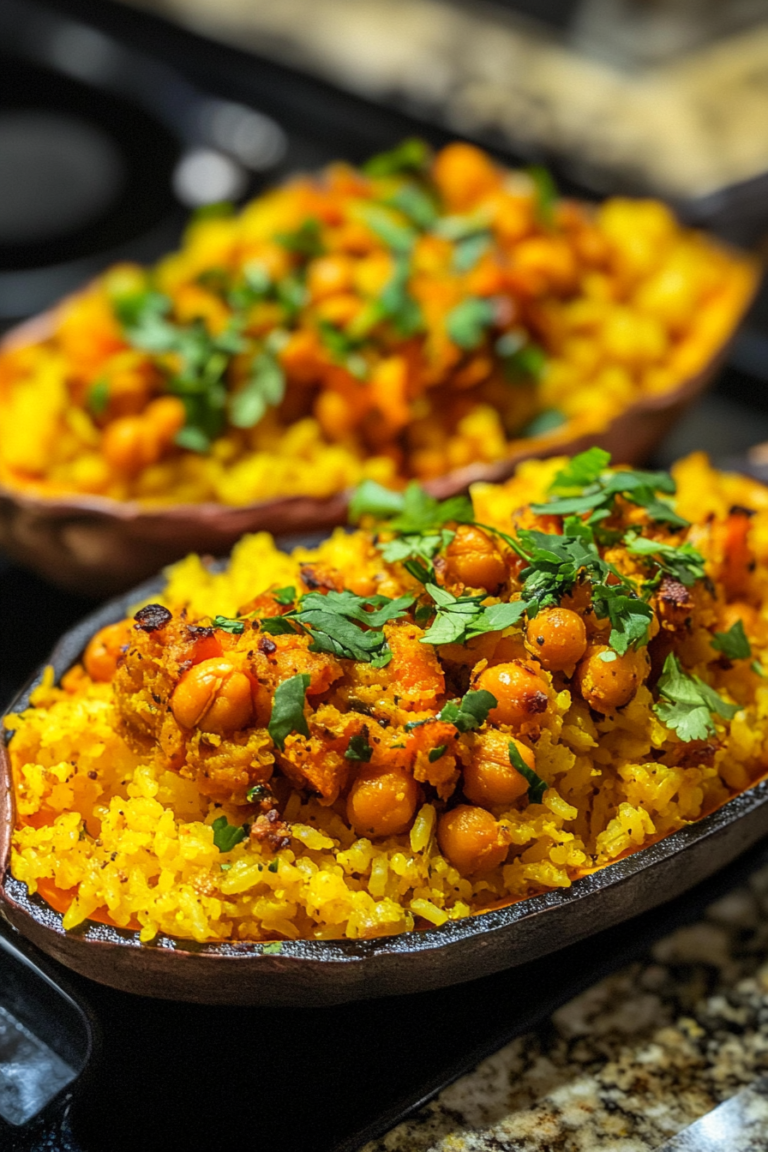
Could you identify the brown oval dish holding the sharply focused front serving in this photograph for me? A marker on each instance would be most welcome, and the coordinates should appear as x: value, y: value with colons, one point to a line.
x: 334, y: 972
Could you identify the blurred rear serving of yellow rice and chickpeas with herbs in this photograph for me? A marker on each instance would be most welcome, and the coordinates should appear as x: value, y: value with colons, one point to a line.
x: 402, y: 321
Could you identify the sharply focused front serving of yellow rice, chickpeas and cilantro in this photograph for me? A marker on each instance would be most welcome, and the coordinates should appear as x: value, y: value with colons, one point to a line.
x: 450, y: 709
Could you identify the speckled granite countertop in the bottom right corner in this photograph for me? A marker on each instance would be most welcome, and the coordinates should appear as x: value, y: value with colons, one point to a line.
x: 633, y: 1063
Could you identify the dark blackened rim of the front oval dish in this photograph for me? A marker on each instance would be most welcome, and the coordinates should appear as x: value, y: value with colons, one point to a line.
x: 483, y: 924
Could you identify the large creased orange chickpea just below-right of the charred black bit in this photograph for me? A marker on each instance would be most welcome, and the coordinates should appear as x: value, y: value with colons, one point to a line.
x: 214, y: 696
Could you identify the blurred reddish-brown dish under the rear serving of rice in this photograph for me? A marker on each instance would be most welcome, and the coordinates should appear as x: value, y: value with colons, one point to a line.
x: 101, y: 547
